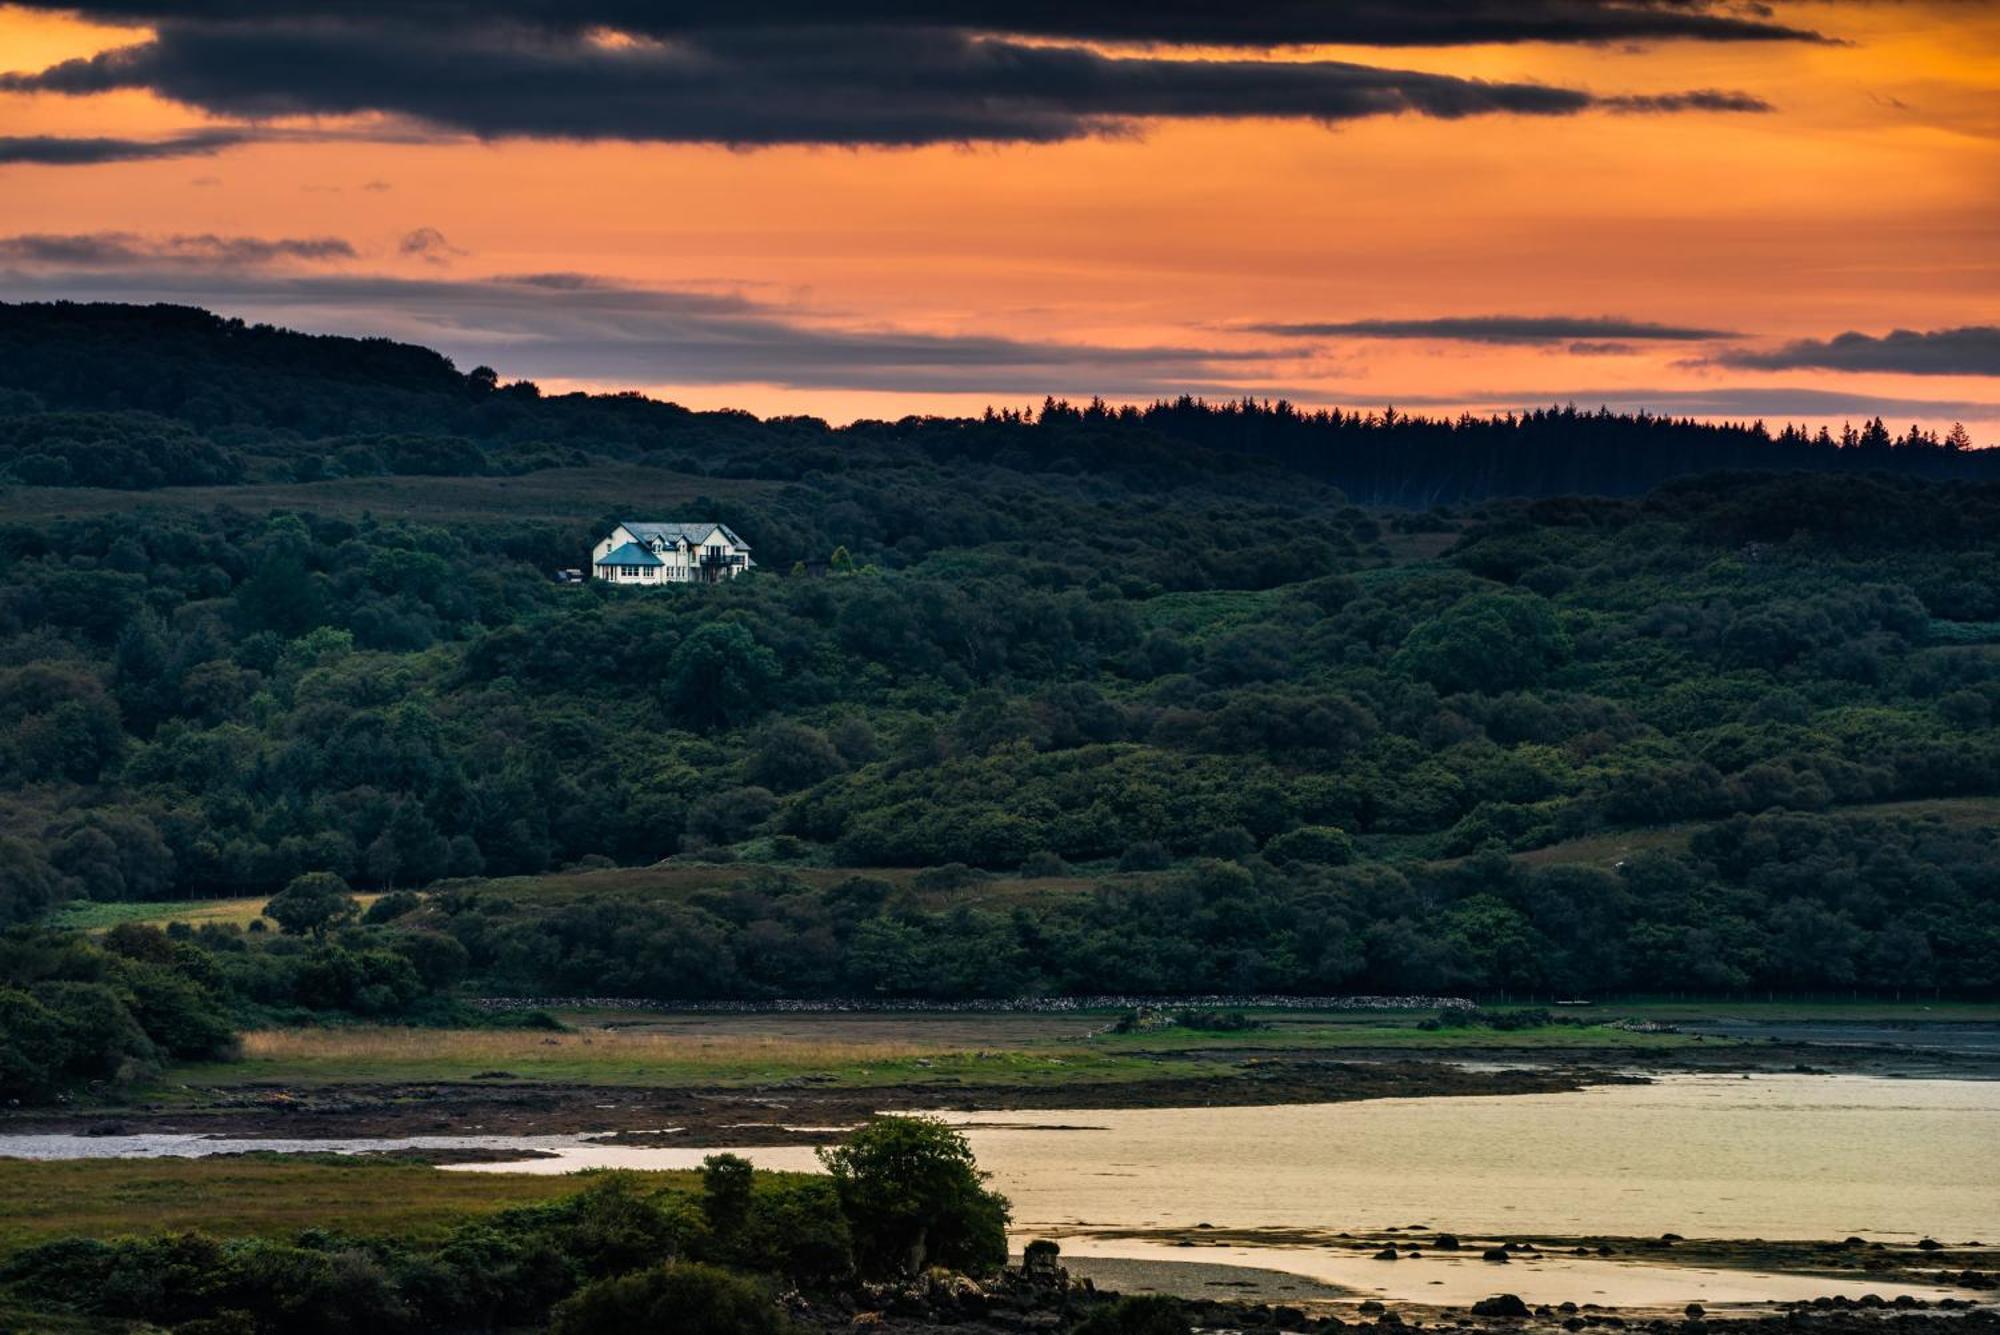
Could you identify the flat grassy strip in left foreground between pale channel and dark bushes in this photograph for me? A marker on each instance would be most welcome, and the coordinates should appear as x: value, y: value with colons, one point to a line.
x: 243, y: 1196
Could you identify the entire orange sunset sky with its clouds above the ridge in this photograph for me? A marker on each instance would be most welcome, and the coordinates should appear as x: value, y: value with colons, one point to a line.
x: 753, y: 237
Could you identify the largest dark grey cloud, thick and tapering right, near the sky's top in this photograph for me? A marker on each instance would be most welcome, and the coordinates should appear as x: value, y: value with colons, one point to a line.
x: 773, y: 85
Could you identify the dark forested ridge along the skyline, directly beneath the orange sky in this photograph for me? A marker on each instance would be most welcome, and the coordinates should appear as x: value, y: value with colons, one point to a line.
x: 143, y: 397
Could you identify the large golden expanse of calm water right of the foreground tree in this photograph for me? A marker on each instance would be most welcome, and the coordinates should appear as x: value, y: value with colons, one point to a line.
x: 1777, y: 1156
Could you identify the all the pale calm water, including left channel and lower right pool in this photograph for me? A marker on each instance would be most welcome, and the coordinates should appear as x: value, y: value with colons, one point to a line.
x: 1775, y: 1156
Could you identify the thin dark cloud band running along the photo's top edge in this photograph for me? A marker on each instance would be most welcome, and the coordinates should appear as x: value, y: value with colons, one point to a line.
x: 1199, y: 23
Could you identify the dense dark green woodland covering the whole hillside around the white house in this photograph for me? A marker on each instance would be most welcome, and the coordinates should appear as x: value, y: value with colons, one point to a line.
x: 1257, y: 736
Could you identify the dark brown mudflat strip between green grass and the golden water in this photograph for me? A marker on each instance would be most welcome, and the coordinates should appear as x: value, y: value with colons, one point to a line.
x: 807, y: 1112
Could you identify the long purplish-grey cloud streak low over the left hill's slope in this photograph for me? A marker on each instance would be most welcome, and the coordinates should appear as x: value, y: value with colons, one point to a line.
x: 587, y: 329
